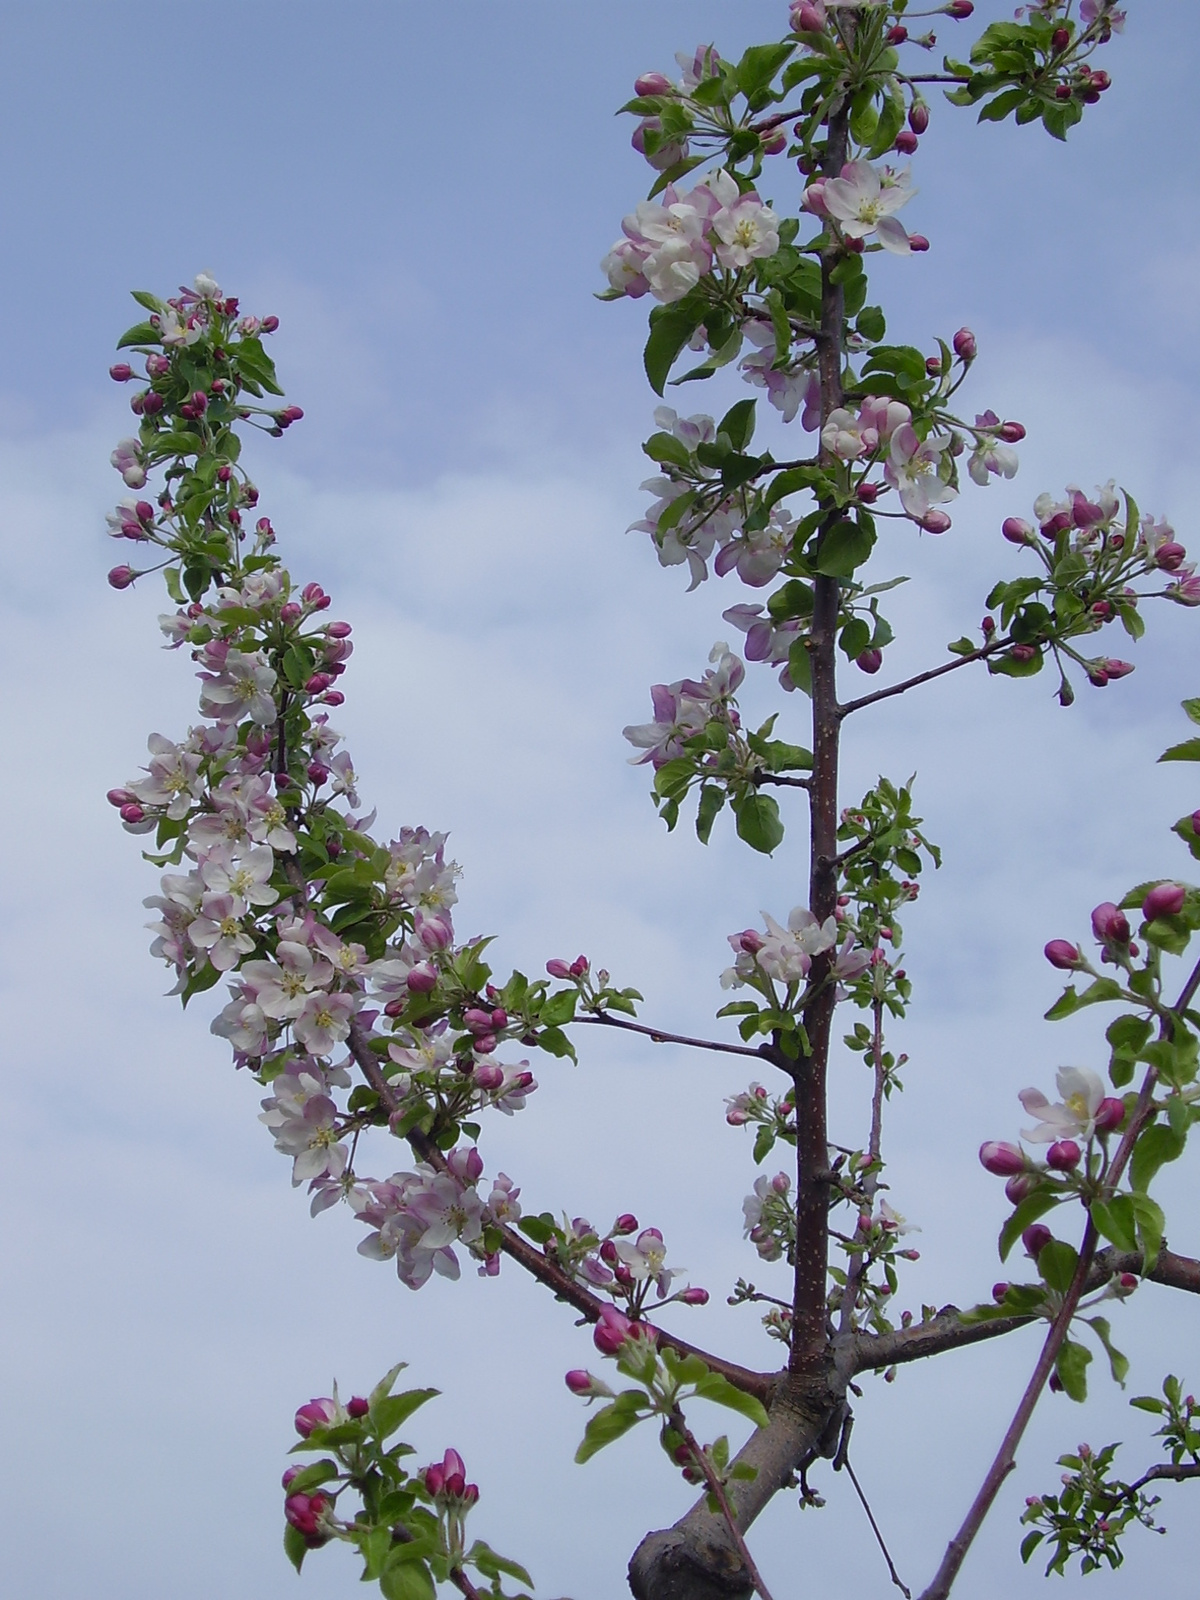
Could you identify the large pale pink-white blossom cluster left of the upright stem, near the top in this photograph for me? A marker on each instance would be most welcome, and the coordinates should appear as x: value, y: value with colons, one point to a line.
x: 673, y: 244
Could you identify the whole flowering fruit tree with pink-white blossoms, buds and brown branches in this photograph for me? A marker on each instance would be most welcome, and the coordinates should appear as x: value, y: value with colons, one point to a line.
x: 380, y: 1036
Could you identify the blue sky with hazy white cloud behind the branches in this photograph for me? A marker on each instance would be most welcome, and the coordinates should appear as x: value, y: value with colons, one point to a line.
x: 423, y: 194
